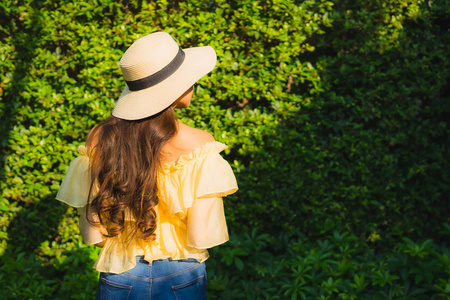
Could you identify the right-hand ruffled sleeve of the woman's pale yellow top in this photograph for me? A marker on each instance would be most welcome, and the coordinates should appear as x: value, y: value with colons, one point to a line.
x: 194, y: 193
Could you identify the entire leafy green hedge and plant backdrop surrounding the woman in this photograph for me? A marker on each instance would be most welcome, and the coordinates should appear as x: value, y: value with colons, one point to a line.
x: 336, y: 116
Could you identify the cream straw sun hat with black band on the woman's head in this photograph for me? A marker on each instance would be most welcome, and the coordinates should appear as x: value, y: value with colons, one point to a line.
x: 158, y: 72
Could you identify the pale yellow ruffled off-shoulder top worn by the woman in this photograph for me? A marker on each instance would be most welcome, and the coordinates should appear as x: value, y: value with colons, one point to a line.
x: 190, y: 211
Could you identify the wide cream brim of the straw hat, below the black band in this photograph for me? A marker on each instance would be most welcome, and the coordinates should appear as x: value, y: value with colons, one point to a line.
x: 135, y: 105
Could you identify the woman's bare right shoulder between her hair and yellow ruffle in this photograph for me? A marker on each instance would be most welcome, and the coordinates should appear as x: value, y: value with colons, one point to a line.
x: 190, y: 138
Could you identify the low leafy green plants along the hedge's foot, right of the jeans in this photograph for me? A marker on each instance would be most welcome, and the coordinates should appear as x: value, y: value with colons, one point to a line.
x: 339, y: 267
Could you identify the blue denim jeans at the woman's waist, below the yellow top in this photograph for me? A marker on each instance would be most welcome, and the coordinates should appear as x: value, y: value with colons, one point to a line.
x: 162, y: 279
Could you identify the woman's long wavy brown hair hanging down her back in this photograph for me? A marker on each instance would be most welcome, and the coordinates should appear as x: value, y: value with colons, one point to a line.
x: 124, y: 160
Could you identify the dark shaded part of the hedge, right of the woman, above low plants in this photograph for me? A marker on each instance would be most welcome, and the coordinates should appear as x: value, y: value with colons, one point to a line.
x: 368, y: 153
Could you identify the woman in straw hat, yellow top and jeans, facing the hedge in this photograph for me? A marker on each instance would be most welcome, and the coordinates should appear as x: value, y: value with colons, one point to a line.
x: 148, y: 188
